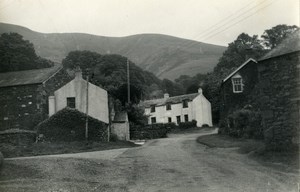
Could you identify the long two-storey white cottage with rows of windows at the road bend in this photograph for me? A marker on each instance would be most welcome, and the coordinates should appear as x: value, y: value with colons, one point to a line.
x: 178, y: 109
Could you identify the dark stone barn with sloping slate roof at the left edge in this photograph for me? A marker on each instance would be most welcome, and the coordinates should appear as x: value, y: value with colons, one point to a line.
x: 24, y: 96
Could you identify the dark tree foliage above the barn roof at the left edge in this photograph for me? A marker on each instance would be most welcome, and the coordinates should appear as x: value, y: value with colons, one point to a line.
x: 18, y: 54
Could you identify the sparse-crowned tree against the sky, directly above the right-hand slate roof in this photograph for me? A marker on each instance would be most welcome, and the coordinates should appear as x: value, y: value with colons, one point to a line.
x: 272, y: 37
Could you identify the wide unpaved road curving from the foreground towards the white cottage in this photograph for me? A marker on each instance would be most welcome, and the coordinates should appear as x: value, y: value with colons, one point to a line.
x: 177, y: 163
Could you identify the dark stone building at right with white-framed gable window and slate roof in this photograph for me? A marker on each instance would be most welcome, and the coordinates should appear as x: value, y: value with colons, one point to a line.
x: 271, y: 86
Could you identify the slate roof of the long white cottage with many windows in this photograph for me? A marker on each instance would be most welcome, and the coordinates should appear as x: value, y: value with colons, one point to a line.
x: 172, y: 100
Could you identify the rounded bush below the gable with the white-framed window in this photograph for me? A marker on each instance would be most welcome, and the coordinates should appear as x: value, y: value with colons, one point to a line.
x: 244, y: 122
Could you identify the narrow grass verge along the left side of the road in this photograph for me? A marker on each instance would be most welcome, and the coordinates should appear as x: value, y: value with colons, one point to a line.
x: 48, y: 148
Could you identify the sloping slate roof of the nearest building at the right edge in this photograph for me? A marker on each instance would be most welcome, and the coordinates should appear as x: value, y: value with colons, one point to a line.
x: 289, y: 45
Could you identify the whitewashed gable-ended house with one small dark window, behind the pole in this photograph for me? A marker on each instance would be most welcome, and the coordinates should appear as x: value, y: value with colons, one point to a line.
x: 74, y: 95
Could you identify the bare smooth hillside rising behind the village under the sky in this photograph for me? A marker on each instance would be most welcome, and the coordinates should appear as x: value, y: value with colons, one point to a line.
x: 165, y: 56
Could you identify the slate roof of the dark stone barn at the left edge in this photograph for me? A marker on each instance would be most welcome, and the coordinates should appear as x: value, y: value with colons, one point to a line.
x: 27, y: 77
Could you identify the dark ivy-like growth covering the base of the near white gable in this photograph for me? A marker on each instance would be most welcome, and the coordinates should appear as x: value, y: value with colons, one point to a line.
x: 69, y: 125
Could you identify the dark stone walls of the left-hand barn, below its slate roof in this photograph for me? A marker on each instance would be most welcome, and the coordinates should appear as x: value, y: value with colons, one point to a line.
x: 24, y: 106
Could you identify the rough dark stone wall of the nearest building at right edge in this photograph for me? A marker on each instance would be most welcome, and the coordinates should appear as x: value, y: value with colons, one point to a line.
x: 278, y: 98
